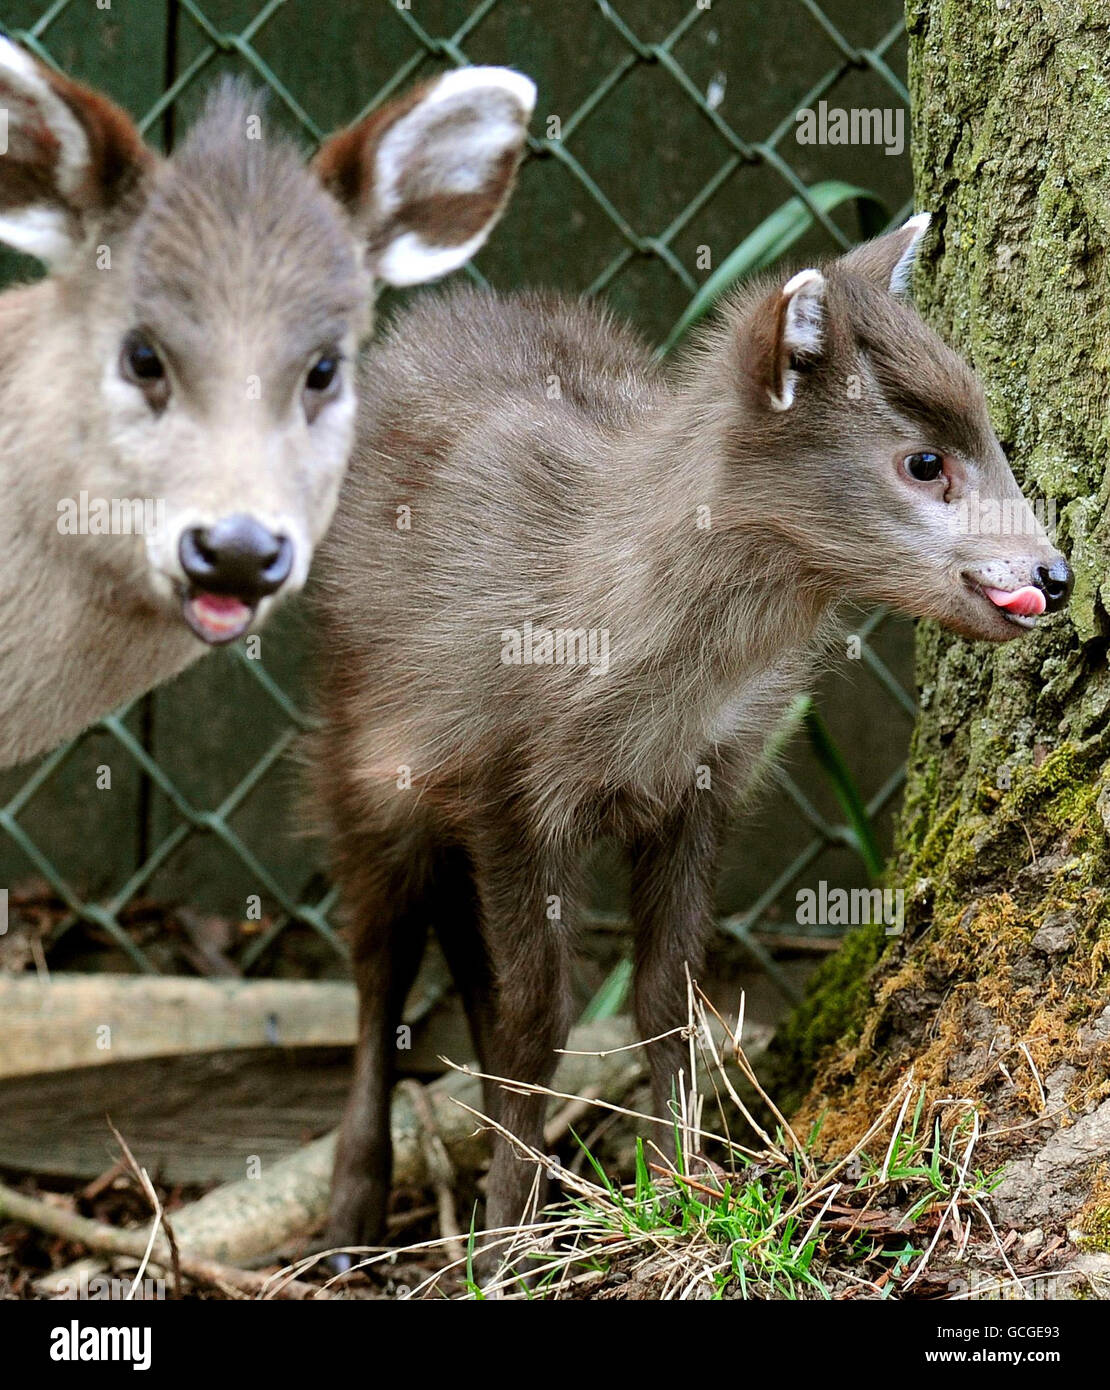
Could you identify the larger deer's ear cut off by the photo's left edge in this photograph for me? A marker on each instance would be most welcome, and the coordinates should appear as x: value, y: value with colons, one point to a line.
x: 66, y: 156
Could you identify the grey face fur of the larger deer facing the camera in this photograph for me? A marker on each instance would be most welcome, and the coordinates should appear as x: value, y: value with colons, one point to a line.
x: 242, y: 276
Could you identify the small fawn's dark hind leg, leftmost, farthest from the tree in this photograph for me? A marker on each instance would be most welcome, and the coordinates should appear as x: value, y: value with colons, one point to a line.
x: 387, y: 903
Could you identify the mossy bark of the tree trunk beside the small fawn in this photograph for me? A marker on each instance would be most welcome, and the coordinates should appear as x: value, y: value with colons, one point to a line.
x: 998, y: 988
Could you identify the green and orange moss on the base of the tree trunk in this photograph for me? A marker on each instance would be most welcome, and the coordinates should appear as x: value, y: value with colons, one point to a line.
x: 968, y: 932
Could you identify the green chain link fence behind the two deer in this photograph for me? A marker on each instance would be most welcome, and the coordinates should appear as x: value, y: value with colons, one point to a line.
x: 666, y: 131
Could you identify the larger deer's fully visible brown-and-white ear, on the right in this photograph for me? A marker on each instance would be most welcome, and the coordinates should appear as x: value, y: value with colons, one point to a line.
x: 429, y: 176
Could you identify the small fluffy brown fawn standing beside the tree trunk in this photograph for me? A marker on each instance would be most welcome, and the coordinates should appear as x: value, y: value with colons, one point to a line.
x: 566, y: 597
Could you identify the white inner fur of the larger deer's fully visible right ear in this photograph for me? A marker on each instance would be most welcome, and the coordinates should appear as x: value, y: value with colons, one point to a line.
x: 451, y: 159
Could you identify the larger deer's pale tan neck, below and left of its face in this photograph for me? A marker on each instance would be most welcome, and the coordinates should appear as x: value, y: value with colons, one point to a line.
x: 74, y: 643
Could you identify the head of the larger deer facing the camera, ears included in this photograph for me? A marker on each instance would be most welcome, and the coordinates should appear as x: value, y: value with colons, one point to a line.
x: 199, y: 350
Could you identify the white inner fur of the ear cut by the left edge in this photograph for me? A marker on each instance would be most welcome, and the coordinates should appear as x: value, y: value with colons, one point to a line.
x: 41, y: 230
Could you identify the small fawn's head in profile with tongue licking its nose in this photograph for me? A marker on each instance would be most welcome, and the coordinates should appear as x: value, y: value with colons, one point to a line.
x: 893, y: 484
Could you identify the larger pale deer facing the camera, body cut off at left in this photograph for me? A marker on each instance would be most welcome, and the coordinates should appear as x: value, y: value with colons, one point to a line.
x: 192, y: 354
